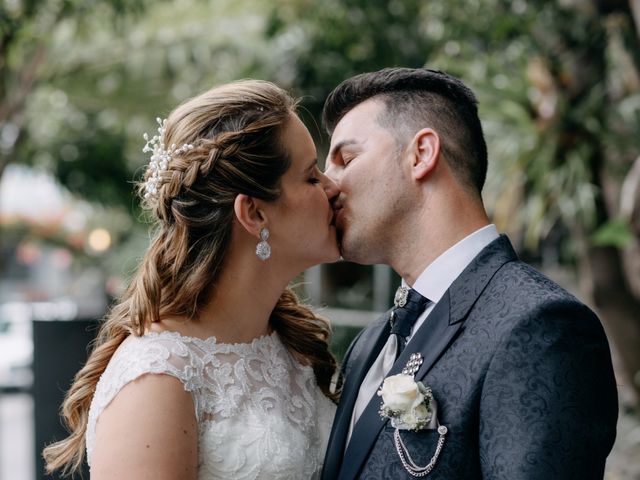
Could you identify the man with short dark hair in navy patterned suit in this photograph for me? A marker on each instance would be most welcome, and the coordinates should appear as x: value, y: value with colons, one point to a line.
x: 520, y: 371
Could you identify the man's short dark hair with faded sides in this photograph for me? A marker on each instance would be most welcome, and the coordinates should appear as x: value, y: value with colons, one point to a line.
x: 418, y: 98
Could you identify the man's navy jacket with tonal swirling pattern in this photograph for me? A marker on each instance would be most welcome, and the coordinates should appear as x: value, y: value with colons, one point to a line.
x: 522, y: 374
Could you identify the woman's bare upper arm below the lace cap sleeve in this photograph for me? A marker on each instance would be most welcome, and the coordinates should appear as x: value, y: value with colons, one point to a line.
x: 149, y: 430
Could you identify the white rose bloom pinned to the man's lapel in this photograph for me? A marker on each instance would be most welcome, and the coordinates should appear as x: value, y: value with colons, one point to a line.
x: 406, y: 402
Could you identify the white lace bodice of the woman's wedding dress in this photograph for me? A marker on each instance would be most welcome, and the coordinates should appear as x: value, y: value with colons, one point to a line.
x: 260, y: 413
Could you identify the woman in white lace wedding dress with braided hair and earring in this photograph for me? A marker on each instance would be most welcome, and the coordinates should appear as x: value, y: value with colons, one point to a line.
x: 209, y: 367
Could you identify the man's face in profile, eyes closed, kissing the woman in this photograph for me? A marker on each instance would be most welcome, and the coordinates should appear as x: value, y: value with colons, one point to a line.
x: 364, y: 161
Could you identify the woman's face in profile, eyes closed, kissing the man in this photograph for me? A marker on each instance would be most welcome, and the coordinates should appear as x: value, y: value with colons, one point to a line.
x: 301, y: 223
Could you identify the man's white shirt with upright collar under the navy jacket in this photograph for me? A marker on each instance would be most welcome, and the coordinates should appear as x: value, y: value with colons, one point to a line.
x: 432, y: 283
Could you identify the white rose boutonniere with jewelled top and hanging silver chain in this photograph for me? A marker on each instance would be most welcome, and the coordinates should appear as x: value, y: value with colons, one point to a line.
x: 410, y: 406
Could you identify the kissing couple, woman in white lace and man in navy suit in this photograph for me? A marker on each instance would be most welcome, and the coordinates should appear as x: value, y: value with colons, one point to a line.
x: 210, y: 367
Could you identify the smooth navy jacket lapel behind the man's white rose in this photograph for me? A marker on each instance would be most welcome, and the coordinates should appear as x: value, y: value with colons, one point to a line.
x: 431, y: 340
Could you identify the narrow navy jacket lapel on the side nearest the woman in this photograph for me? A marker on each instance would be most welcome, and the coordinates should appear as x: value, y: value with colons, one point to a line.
x: 364, y: 353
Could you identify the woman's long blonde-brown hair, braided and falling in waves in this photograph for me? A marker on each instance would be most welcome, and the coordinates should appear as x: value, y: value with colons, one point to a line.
x: 236, y: 133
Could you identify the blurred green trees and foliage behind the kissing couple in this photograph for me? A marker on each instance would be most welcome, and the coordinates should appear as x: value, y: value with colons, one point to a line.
x: 558, y: 84
